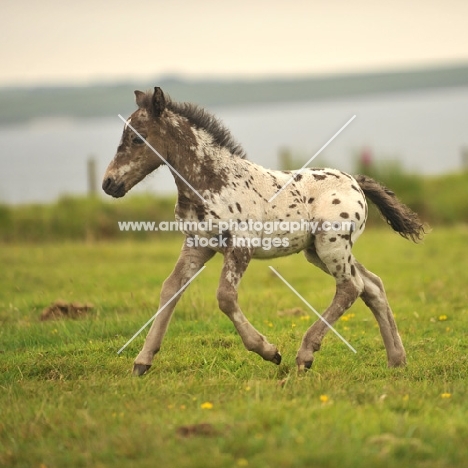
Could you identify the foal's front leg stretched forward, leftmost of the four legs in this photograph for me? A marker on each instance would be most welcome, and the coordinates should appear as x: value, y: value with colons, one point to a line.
x: 191, y: 259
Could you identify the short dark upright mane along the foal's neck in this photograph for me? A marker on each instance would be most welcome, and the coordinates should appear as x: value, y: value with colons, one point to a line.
x: 203, y: 119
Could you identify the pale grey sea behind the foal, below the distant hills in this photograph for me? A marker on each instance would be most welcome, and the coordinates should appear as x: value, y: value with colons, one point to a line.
x: 425, y: 131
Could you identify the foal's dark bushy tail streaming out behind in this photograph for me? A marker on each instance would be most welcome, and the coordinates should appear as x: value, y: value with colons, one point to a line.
x: 401, y: 218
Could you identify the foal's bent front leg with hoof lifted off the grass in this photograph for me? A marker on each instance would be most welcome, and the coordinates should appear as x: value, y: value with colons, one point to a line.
x: 235, y: 264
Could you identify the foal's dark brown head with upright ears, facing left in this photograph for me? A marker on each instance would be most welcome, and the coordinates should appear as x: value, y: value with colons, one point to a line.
x: 134, y: 159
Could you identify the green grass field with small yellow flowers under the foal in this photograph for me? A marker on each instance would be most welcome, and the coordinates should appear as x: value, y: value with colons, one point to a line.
x: 68, y: 399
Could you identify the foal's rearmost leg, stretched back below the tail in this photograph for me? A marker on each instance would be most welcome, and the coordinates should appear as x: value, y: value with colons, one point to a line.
x: 375, y: 298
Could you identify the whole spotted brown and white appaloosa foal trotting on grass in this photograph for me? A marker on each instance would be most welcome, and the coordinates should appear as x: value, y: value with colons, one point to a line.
x: 206, y: 162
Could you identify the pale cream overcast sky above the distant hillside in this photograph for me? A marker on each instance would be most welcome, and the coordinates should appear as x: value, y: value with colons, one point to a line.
x: 56, y: 42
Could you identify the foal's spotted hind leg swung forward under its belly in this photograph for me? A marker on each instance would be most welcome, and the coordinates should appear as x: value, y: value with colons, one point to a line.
x: 331, y: 253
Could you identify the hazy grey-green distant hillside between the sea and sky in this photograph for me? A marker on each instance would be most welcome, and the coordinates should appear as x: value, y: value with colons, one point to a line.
x: 23, y: 104
